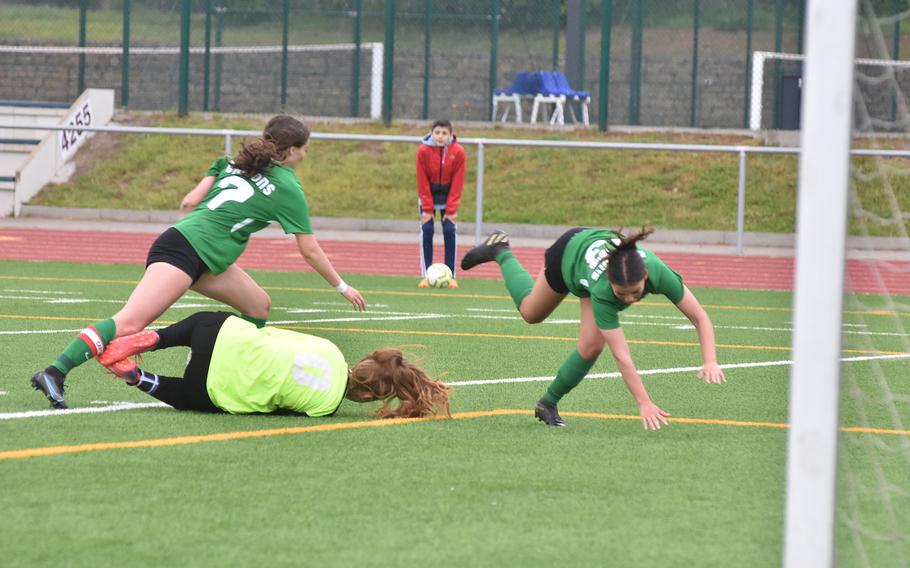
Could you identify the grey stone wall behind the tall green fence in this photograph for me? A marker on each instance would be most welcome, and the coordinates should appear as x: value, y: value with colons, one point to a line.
x: 319, y: 84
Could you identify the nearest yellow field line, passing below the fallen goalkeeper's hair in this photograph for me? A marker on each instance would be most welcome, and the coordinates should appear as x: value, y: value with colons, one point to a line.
x: 242, y: 435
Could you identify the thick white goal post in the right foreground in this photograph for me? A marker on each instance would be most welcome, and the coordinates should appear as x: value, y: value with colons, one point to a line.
x: 824, y: 177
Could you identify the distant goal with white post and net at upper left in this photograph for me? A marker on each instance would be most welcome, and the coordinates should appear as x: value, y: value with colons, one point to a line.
x: 322, y: 80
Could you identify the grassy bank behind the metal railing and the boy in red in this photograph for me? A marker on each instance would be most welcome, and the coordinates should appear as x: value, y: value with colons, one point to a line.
x: 521, y: 185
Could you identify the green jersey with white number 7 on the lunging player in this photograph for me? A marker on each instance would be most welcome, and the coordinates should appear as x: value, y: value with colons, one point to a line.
x: 239, y: 205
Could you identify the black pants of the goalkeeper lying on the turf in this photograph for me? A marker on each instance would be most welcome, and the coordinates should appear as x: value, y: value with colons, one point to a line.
x: 198, y: 332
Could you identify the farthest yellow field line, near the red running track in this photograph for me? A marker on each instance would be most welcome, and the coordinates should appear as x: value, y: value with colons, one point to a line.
x: 469, y: 296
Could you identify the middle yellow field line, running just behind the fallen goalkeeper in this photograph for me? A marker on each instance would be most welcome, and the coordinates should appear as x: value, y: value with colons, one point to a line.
x: 485, y: 335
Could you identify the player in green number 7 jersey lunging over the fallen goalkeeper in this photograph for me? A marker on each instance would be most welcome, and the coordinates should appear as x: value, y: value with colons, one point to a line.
x: 234, y: 199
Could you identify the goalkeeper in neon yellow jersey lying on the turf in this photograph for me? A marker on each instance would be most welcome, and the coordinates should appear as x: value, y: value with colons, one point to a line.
x: 238, y: 368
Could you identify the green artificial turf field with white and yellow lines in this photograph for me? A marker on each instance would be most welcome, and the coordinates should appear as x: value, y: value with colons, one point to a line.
x: 147, y: 485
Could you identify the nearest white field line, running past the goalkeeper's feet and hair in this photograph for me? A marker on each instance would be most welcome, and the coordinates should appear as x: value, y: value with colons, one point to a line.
x: 118, y: 406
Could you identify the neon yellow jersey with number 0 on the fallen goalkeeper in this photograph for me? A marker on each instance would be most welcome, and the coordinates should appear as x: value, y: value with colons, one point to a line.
x: 257, y: 370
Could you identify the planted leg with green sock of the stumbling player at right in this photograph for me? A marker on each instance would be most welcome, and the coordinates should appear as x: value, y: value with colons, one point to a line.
x: 574, y: 368
